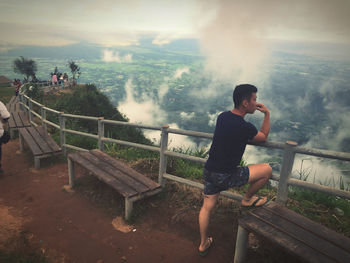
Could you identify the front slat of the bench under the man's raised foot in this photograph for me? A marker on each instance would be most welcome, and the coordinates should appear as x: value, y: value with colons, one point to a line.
x: 261, y: 228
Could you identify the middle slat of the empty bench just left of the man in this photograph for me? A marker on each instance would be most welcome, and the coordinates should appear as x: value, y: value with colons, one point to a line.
x: 114, y: 172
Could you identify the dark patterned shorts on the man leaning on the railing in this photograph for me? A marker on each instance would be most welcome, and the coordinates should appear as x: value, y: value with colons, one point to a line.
x: 216, y: 182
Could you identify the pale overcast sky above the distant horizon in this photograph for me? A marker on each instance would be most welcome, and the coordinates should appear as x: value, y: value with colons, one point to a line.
x: 123, y: 22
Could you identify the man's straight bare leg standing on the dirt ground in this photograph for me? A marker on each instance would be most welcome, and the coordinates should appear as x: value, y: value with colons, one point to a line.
x: 204, y: 218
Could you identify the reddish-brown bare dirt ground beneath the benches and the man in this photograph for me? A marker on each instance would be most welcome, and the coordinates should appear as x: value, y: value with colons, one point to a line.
x: 86, y: 225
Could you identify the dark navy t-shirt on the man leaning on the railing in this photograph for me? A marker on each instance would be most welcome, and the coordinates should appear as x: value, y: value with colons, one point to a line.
x: 231, y: 135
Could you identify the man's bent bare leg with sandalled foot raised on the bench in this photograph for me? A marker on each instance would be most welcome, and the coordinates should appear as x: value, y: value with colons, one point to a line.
x: 259, y: 174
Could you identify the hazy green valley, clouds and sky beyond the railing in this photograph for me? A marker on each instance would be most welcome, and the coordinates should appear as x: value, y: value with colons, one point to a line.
x: 178, y: 62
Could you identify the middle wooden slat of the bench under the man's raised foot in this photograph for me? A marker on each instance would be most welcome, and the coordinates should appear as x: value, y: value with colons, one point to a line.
x: 291, y: 228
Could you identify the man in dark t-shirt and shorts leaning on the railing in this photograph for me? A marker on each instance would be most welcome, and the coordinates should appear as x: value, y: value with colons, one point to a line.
x: 222, y: 170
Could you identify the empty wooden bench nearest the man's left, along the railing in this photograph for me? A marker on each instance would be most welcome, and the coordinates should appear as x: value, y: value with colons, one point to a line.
x: 128, y: 182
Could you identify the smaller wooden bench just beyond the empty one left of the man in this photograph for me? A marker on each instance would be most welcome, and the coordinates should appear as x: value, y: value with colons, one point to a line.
x: 39, y: 142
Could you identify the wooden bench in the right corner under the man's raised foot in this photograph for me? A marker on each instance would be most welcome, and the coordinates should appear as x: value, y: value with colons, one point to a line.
x: 297, y: 234
